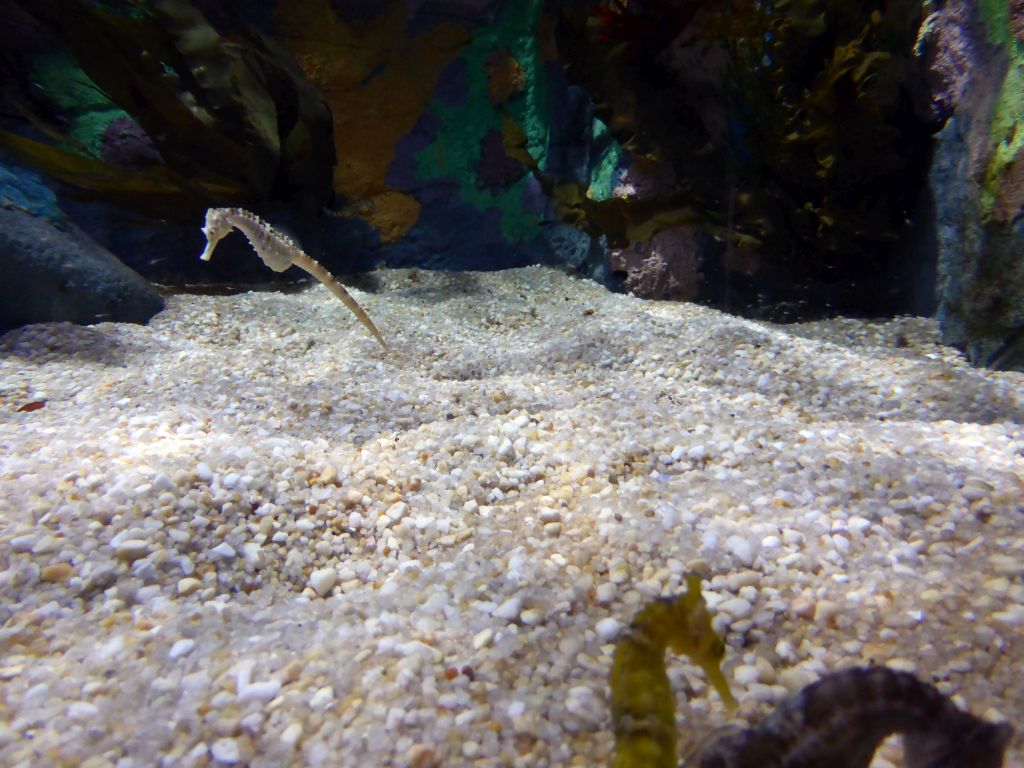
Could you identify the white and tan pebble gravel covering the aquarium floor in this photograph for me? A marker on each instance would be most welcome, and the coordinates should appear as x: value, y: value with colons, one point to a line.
x: 246, y: 535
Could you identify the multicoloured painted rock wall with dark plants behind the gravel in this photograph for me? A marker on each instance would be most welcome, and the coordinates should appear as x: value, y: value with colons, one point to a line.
x: 783, y: 161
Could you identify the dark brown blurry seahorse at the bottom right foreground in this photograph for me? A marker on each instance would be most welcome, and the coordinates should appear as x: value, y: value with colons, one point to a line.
x: 840, y: 721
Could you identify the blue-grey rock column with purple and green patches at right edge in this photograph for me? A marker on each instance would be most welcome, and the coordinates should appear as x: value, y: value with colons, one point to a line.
x: 976, y: 180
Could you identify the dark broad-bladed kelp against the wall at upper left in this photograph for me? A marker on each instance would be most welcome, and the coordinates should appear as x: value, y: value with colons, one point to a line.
x: 229, y: 114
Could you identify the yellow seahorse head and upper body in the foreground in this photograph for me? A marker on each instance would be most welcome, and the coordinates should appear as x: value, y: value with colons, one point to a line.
x: 643, y: 706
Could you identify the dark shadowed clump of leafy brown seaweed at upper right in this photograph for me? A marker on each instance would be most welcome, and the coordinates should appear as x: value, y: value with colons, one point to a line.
x: 800, y: 126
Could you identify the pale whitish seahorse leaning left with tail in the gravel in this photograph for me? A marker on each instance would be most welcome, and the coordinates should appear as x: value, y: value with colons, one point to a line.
x: 279, y: 252
